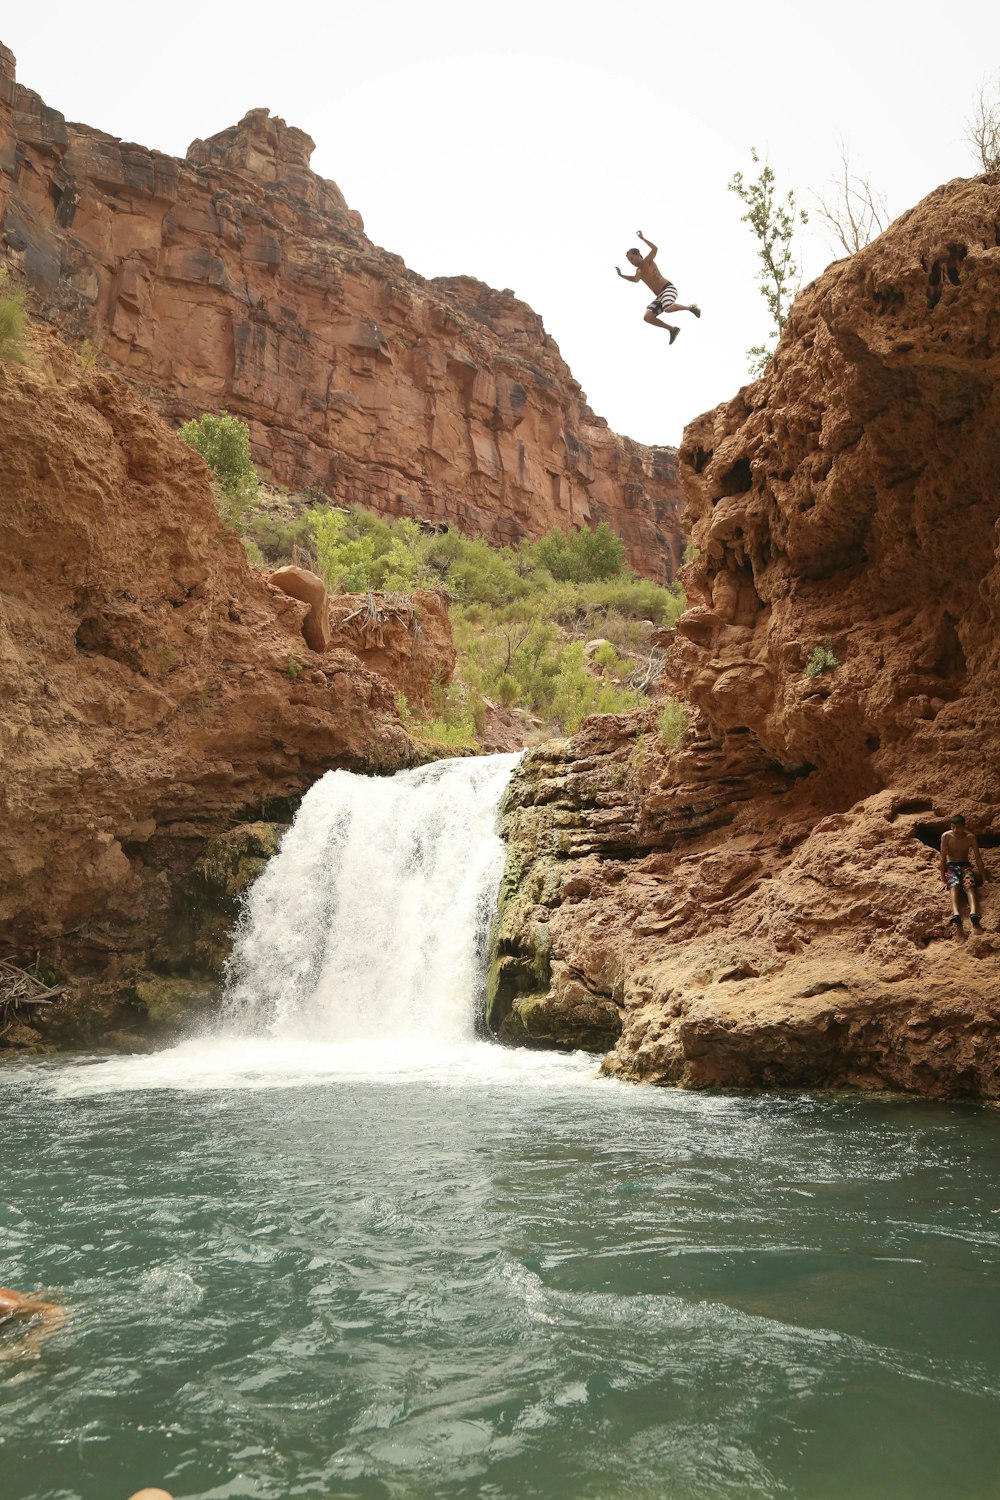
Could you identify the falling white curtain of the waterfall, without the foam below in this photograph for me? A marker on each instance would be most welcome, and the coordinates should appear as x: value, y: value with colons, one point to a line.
x: 371, y: 923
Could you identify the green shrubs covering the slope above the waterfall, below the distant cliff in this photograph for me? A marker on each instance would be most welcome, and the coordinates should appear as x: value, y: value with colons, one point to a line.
x: 519, y: 628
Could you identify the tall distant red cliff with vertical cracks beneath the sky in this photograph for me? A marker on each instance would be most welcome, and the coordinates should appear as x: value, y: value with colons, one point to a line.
x: 238, y: 278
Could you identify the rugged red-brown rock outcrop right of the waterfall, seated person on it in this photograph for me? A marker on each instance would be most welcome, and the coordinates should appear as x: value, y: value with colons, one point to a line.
x: 761, y: 905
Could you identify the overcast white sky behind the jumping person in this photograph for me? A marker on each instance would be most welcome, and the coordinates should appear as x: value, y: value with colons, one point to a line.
x: 528, y: 142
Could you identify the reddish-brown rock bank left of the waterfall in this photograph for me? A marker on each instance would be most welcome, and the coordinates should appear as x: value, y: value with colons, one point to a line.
x: 154, y: 689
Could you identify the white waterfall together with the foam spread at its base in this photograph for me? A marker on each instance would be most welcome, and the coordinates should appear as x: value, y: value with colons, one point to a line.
x: 362, y: 952
